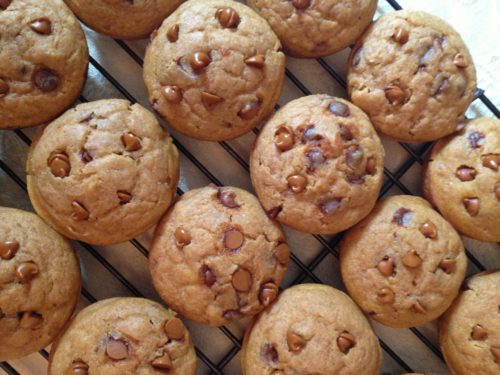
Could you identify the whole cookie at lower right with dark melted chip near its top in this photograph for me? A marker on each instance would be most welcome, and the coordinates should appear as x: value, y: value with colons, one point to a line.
x: 403, y: 264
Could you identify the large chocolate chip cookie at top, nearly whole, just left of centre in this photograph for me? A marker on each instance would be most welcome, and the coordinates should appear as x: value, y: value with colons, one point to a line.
x: 214, y: 69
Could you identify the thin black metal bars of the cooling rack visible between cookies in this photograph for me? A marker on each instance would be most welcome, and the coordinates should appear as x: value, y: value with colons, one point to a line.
x: 306, y: 270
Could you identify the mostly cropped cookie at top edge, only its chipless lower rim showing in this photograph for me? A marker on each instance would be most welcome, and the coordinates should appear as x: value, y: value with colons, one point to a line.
x: 123, y: 19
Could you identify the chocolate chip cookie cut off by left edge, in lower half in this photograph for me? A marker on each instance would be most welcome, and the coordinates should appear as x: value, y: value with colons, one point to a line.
x: 40, y: 278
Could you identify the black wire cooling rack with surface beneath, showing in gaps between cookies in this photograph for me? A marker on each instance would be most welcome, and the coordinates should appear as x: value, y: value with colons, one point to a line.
x: 121, y: 270
